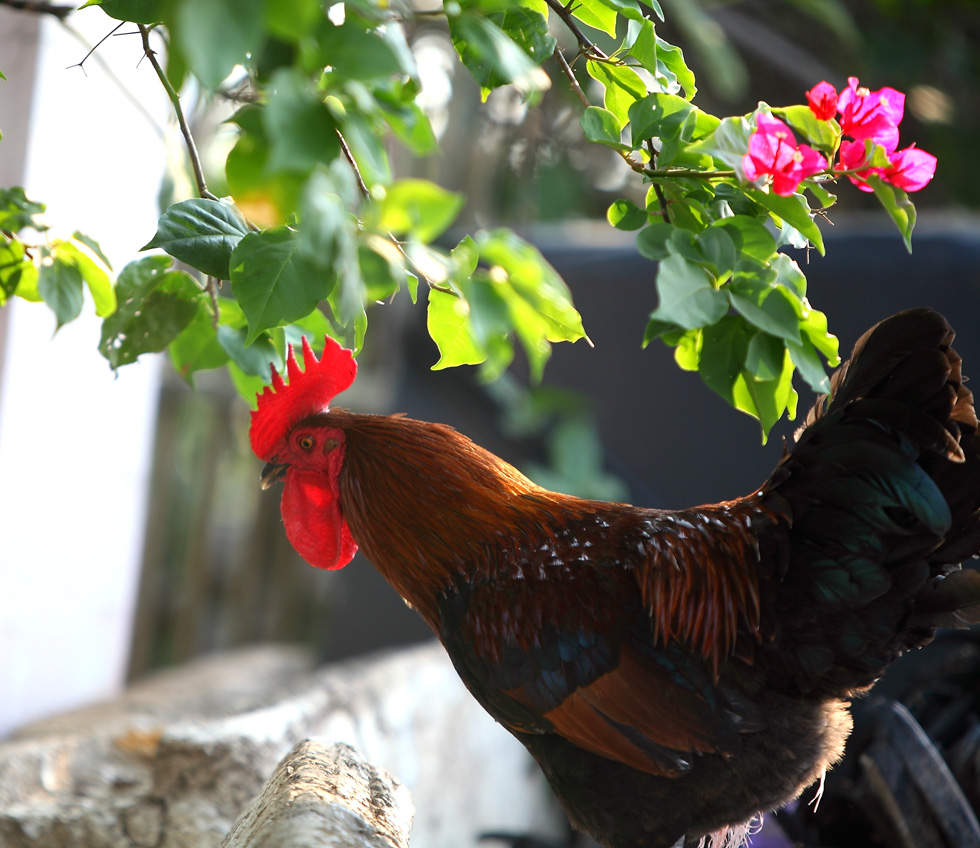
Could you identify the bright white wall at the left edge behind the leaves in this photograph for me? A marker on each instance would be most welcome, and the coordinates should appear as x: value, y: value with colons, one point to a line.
x: 75, y: 442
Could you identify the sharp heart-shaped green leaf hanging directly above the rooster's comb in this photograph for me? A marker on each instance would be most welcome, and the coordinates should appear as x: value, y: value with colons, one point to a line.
x: 272, y: 282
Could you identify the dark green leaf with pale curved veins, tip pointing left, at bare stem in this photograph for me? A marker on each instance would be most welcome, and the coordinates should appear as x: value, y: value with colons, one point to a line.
x: 203, y: 233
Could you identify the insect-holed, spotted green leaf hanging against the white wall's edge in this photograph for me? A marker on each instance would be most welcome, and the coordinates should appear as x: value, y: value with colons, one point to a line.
x: 155, y: 305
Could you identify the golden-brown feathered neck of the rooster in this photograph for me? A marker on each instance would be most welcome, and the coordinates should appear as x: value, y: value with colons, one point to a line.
x: 429, y: 507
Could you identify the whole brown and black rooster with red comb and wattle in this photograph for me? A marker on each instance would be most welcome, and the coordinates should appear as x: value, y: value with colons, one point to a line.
x: 674, y: 673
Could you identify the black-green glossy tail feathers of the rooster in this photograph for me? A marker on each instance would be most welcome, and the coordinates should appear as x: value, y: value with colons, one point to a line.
x: 884, y: 489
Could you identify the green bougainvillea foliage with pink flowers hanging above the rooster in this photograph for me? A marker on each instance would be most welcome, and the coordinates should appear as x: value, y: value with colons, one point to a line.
x: 317, y: 225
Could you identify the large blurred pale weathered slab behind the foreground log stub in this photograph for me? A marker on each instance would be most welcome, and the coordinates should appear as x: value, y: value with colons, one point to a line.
x: 174, y: 761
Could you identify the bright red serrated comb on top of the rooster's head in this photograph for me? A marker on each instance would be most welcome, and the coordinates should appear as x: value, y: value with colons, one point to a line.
x: 308, y: 391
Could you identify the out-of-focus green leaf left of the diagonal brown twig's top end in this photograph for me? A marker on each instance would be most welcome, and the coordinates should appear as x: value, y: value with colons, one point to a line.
x: 299, y: 126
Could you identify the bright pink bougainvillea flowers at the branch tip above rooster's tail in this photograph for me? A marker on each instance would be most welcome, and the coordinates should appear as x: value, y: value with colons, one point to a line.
x: 864, y: 116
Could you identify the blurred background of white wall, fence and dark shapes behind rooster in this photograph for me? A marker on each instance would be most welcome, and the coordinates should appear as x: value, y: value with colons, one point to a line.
x: 133, y: 534
